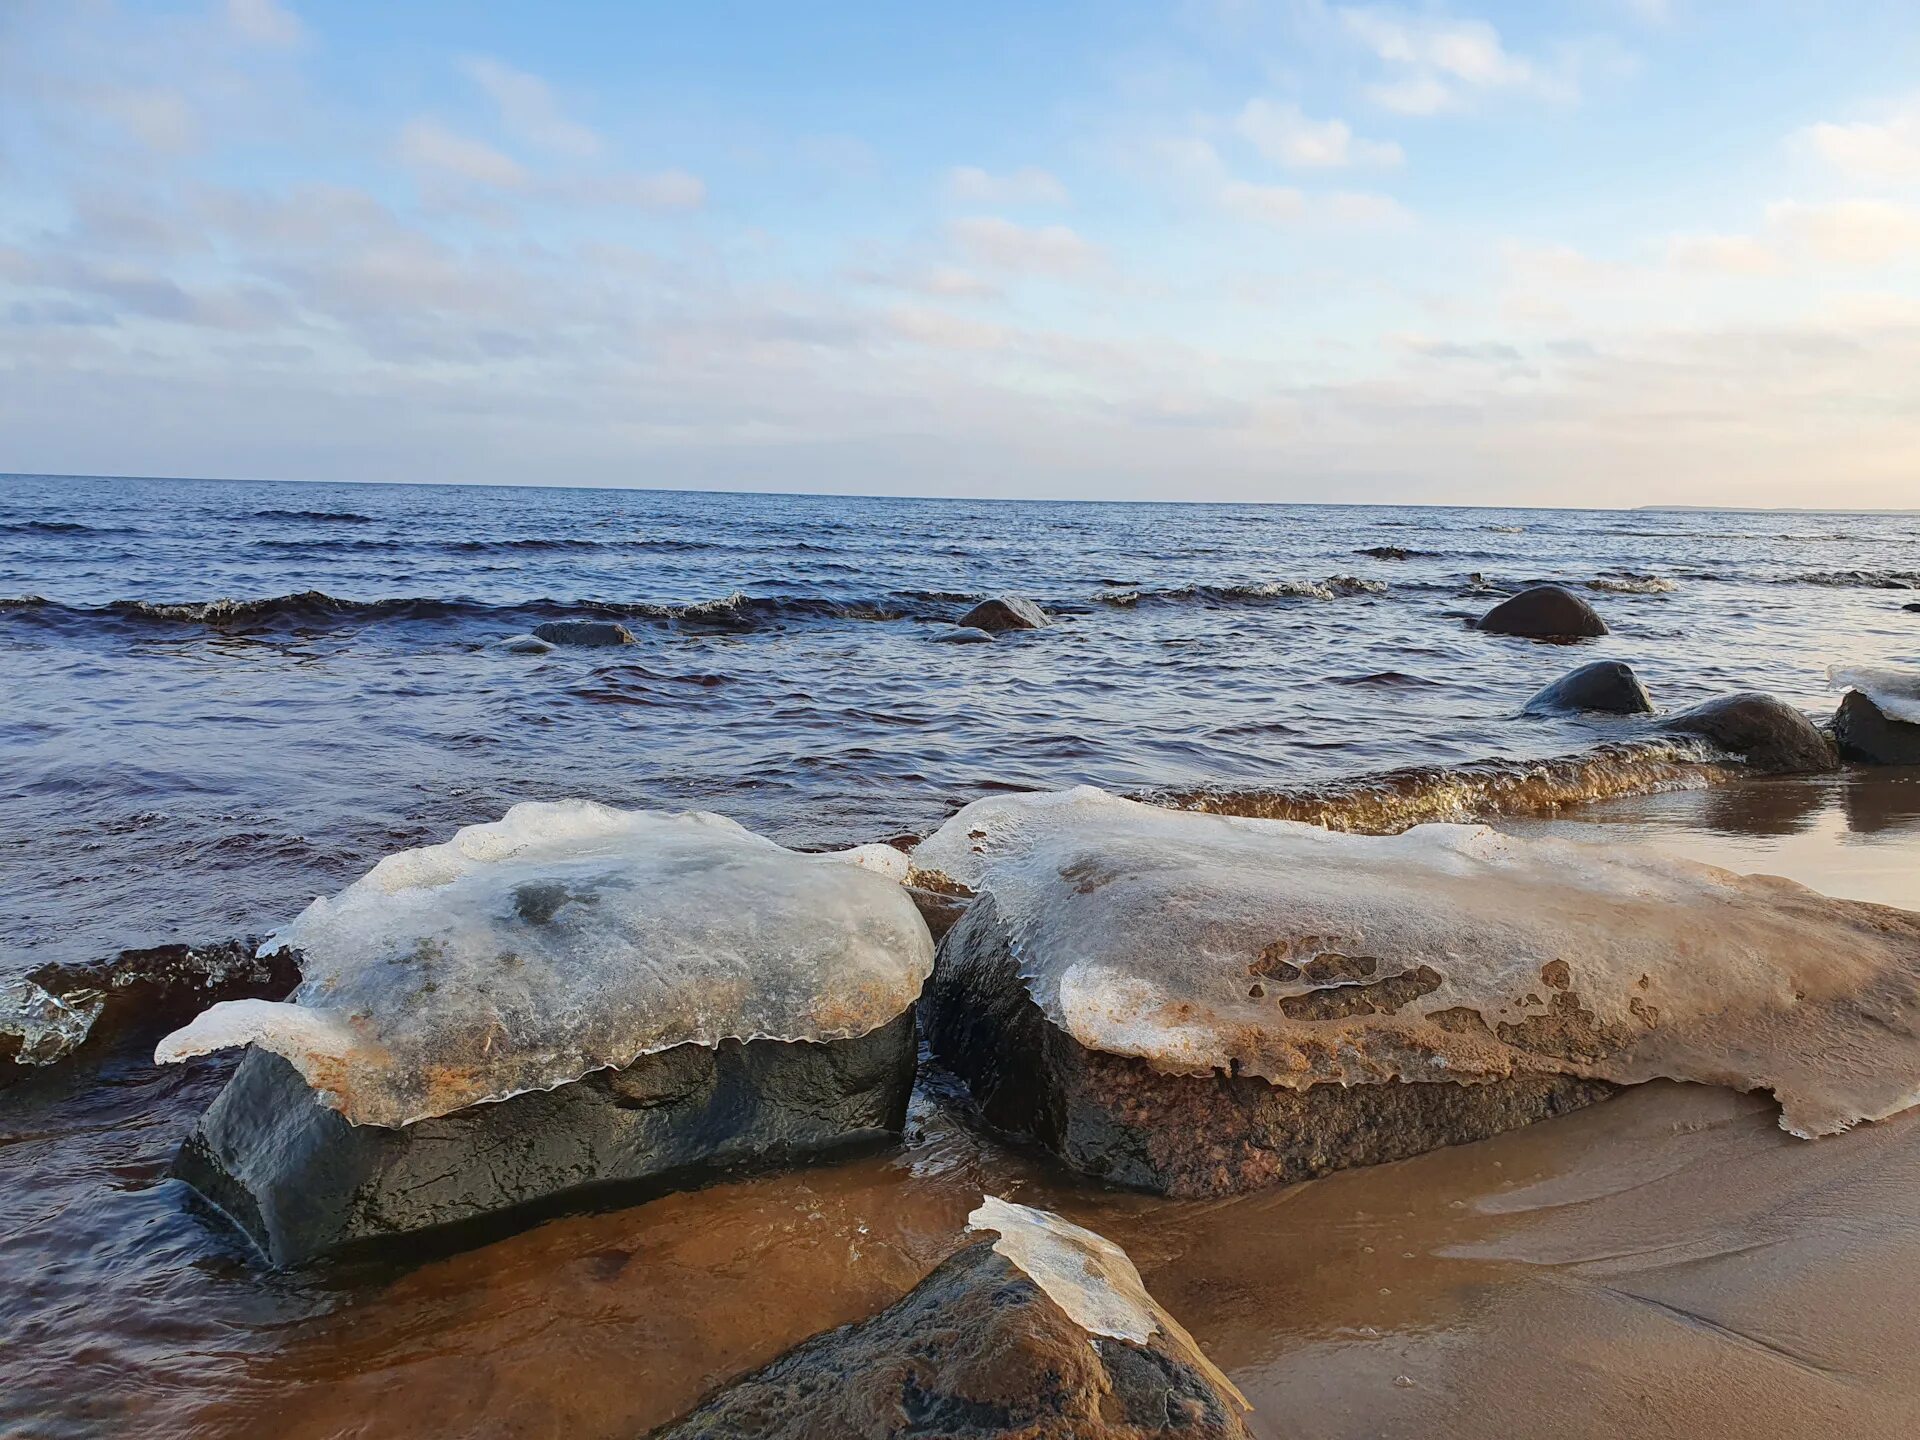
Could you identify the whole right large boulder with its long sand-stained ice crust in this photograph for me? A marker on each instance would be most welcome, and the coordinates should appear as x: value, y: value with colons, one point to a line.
x: 1201, y: 1003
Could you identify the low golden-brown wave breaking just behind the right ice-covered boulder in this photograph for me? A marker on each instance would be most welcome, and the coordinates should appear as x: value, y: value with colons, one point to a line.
x: 1399, y: 800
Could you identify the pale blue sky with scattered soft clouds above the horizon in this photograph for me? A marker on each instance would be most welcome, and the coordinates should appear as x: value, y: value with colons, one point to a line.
x: 1595, y: 252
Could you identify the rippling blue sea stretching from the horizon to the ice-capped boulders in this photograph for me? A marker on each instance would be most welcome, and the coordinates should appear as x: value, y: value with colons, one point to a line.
x: 220, y: 700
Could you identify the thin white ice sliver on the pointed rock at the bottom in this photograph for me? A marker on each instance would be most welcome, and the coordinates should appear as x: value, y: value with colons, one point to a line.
x: 1090, y: 1278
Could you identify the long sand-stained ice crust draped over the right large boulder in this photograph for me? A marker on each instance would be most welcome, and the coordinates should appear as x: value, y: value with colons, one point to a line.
x: 1447, y: 953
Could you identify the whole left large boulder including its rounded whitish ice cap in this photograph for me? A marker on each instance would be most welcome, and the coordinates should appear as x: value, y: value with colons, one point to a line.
x: 565, y: 999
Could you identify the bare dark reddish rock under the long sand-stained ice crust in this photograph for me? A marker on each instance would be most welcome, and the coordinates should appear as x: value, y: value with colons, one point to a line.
x: 1126, y: 1122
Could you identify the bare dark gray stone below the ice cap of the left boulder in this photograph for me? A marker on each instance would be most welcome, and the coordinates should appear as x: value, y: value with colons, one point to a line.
x: 304, y: 1184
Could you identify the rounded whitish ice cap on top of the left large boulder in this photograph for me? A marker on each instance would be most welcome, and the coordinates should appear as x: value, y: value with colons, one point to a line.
x: 569, y: 938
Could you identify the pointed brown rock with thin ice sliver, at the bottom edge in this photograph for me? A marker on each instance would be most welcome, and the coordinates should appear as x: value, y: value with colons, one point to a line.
x: 1044, y: 1333
